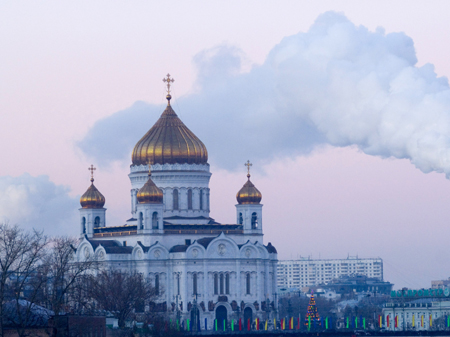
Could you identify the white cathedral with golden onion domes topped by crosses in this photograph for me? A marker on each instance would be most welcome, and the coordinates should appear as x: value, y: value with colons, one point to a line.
x: 200, y: 268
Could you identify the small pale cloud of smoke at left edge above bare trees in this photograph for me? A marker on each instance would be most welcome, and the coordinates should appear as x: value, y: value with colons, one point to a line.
x: 36, y: 202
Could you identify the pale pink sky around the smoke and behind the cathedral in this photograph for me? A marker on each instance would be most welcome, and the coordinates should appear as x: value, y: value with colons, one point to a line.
x: 64, y: 66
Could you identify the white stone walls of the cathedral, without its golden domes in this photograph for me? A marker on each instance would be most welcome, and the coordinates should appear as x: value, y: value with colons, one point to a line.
x: 225, y: 269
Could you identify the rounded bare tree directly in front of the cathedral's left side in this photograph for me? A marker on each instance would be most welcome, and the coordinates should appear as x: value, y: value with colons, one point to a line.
x: 119, y: 292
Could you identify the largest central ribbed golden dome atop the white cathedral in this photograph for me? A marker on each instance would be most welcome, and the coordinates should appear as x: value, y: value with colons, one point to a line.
x: 169, y: 141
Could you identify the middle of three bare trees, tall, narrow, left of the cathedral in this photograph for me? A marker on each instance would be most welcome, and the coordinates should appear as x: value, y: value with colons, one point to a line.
x: 64, y: 273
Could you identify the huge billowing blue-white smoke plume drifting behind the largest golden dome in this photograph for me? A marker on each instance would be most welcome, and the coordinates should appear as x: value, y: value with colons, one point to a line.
x: 336, y: 83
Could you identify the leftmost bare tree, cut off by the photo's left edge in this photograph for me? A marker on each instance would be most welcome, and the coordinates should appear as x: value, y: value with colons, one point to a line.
x: 21, y: 274
